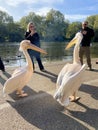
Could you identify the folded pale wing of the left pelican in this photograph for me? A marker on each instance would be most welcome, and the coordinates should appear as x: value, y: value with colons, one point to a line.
x: 17, y: 81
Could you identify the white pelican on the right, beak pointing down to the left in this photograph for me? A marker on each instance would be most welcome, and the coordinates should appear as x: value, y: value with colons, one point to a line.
x: 69, y: 79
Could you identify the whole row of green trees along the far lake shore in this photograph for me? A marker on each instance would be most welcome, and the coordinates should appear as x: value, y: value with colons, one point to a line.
x: 52, y: 27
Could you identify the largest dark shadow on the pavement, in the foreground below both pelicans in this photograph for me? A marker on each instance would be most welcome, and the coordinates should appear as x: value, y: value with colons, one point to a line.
x: 45, y: 113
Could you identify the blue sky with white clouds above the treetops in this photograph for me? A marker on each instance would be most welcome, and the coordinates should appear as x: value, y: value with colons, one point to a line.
x: 73, y: 10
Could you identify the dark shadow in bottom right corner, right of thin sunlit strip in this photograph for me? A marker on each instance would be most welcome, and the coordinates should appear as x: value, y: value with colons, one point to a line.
x: 89, y: 116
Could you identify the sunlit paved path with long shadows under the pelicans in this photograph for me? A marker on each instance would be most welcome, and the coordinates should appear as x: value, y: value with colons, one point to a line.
x: 39, y: 111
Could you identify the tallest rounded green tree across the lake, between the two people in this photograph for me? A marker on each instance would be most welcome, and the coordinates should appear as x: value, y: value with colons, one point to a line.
x: 55, y: 26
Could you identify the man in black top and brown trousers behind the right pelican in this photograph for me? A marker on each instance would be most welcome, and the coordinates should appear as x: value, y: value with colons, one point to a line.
x: 88, y: 34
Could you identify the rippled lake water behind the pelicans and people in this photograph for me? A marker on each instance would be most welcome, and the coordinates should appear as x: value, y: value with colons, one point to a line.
x: 11, y: 55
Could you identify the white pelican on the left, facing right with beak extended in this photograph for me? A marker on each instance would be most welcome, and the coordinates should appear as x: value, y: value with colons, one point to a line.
x: 21, y: 76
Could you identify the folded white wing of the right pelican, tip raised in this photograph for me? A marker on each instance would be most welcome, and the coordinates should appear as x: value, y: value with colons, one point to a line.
x: 70, y: 83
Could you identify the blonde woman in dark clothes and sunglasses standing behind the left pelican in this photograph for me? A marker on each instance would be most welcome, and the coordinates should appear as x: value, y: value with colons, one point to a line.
x: 33, y: 36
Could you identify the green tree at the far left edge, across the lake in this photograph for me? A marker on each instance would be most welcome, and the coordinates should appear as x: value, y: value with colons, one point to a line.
x: 9, y: 30
